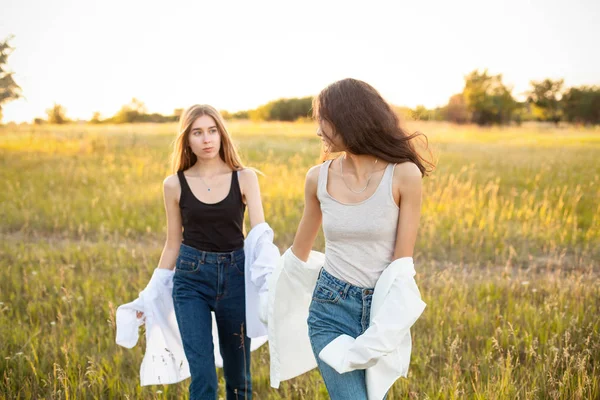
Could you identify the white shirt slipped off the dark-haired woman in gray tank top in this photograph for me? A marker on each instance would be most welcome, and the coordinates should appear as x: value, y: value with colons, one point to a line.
x: 383, y: 349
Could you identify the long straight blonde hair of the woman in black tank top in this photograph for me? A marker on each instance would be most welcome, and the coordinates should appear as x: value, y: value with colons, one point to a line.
x: 183, y: 158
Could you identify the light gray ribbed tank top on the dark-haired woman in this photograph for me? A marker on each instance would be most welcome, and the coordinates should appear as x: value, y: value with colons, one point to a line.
x: 359, y: 237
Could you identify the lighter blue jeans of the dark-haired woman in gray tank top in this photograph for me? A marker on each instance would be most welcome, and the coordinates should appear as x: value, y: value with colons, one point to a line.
x: 338, y: 308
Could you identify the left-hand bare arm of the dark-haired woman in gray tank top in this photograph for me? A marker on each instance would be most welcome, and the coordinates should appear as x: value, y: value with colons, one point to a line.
x: 311, y: 219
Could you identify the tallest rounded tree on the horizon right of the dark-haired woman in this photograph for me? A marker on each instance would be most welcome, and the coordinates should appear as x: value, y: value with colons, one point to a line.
x: 488, y: 100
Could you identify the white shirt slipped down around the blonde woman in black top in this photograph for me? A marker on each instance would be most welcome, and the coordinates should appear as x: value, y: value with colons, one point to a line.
x: 164, y: 360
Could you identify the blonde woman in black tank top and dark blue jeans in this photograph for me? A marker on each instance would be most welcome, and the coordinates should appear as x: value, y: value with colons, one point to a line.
x: 205, y: 201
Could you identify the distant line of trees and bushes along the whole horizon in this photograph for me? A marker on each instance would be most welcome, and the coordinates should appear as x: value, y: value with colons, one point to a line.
x: 484, y: 100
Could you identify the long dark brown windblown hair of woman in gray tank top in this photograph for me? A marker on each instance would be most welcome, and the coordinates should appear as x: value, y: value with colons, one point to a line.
x: 367, y: 124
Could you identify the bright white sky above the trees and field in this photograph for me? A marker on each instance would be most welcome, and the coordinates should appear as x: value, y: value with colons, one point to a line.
x: 96, y: 55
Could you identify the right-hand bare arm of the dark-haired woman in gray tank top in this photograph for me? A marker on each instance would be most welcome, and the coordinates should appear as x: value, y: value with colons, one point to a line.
x: 408, y: 180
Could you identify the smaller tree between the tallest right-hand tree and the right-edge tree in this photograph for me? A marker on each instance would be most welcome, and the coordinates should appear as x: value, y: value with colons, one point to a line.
x: 545, y: 97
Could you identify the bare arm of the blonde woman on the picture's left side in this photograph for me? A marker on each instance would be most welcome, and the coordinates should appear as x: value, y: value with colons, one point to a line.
x: 171, y: 192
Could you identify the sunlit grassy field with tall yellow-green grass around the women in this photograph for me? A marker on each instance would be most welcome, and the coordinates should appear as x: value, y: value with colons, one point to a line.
x: 508, y: 258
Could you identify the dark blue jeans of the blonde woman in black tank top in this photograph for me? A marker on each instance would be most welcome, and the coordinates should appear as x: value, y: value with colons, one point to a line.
x: 205, y: 282
